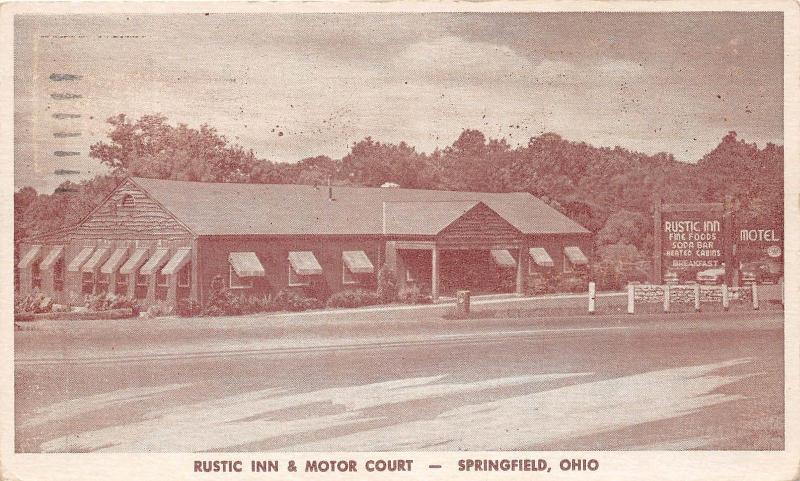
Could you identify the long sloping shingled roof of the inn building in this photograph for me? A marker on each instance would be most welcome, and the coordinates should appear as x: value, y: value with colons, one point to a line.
x: 290, y: 209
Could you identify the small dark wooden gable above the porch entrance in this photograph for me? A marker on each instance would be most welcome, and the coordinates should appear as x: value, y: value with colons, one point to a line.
x: 480, y: 226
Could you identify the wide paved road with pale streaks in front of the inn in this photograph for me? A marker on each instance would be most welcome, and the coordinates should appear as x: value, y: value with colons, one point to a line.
x: 679, y: 381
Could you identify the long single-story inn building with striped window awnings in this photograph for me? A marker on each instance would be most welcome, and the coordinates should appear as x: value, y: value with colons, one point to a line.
x: 167, y: 240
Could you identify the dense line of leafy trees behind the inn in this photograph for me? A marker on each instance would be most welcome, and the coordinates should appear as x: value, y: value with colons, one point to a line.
x: 608, y: 190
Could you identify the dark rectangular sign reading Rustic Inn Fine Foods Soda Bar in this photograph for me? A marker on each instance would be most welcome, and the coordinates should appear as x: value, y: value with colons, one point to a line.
x: 690, y: 238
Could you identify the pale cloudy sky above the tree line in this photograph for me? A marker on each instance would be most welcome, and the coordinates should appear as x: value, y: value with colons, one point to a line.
x: 291, y: 86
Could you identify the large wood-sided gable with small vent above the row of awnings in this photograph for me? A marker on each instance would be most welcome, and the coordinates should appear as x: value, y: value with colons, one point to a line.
x: 146, y: 219
